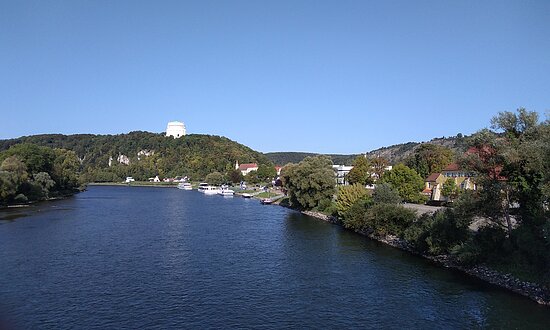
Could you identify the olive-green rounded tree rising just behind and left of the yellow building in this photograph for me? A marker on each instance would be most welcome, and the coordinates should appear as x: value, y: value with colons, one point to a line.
x: 429, y: 158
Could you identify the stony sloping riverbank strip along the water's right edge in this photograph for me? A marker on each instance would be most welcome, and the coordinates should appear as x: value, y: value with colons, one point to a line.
x: 533, y: 291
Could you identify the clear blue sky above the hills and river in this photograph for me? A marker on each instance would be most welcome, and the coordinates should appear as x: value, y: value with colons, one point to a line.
x: 318, y: 76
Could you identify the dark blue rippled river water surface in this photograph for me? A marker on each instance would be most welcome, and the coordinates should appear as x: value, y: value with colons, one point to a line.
x: 120, y: 257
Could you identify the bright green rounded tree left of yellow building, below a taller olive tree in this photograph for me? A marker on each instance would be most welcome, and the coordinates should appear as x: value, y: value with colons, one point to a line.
x: 407, y: 181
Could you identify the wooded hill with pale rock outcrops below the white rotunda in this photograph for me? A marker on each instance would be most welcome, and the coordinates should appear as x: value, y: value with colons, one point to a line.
x: 143, y: 154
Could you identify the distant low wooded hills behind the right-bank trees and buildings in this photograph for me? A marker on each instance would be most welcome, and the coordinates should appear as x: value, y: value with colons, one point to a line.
x: 394, y: 154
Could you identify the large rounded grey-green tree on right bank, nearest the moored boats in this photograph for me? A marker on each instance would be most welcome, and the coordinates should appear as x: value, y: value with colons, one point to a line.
x: 310, y: 182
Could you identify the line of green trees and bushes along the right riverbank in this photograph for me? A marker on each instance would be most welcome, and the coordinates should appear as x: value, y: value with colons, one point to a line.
x: 504, y: 224
